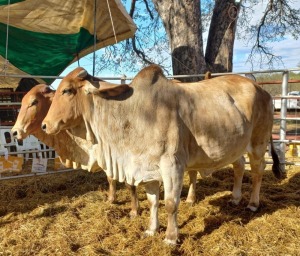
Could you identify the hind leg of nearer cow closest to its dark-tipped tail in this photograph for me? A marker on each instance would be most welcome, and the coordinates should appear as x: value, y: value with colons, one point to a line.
x: 257, y: 163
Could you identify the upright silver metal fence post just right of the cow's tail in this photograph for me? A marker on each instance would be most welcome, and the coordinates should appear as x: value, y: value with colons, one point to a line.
x: 283, y: 113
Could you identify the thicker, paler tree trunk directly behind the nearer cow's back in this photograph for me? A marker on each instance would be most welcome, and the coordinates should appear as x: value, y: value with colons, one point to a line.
x: 182, y: 21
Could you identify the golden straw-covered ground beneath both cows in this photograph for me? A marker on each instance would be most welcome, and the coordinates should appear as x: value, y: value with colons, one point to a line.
x: 67, y: 214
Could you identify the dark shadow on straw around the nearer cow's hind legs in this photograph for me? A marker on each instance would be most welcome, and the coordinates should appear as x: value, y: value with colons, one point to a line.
x: 274, y: 195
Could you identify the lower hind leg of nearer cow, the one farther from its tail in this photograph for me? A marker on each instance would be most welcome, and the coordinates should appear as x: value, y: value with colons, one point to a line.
x: 239, y: 169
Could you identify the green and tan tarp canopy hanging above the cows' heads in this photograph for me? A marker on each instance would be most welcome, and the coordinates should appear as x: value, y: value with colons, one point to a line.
x: 45, y: 36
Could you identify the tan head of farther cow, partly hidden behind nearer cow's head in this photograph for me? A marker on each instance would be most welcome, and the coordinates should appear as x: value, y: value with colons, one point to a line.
x: 35, y: 105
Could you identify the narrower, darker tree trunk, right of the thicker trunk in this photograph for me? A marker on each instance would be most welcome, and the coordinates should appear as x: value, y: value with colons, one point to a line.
x: 220, y: 42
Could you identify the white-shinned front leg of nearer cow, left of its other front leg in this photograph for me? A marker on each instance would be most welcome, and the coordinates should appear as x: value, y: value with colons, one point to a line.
x: 152, y: 190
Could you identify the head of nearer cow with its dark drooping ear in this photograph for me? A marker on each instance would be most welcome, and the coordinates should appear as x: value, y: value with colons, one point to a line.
x: 72, y: 98
